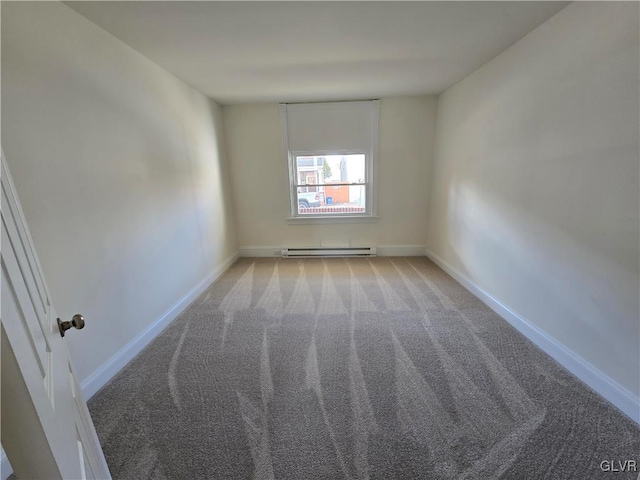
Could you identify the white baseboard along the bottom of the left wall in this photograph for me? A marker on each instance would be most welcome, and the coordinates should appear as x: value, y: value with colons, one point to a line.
x: 111, y: 367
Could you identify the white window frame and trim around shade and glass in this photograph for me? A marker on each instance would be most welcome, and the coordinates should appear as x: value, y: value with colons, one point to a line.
x: 371, y: 156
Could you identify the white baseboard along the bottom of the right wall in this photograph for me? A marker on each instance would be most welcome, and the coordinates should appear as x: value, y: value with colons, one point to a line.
x: 611, y: 390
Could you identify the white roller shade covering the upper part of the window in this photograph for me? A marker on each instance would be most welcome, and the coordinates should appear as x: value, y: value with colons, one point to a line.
x: 323, y: 127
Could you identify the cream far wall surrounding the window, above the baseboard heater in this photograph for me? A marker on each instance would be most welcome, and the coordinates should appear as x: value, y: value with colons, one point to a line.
x: 260, y: 180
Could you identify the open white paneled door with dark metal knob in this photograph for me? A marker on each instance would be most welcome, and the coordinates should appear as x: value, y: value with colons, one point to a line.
x: 46, y: 428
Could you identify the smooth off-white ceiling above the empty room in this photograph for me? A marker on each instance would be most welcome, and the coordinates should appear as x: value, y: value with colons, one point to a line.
x: 238, y: 52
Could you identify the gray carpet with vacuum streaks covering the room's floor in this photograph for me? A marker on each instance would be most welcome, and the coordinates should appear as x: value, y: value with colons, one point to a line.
x: 381, y: 368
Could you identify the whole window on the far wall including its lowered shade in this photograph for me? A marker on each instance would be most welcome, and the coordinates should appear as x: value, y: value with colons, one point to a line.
x: 331, y: 150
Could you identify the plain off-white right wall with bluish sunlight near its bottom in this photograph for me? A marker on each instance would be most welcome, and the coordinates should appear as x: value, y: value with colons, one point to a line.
x: 535, y: 191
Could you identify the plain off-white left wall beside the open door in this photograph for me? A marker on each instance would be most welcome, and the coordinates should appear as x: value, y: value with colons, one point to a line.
x: 120, y: 169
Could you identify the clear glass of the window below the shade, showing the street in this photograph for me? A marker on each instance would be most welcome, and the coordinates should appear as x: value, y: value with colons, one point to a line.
x: 326, y: 184
